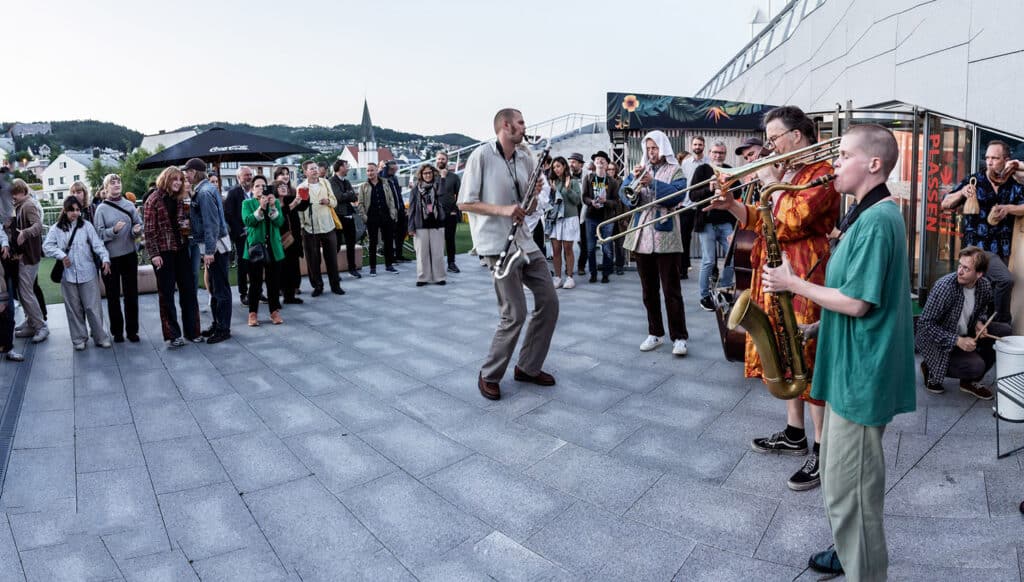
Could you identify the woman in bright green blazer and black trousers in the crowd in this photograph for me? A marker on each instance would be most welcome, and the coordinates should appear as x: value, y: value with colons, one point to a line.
x: 263, y: 217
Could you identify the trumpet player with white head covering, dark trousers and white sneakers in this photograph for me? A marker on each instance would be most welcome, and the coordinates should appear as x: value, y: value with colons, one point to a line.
x: 658, y: 247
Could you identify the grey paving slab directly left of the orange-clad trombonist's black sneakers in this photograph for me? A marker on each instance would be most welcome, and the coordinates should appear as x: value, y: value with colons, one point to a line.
x: 664, y: 449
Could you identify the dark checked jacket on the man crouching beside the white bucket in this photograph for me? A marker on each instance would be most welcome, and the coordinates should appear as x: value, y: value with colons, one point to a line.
x: 936, y: 335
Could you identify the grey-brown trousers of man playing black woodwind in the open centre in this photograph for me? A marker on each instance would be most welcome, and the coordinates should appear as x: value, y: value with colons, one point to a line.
x: 513, y: 308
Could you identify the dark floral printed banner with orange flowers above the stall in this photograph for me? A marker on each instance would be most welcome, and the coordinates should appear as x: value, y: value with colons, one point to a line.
x: 639, y: 112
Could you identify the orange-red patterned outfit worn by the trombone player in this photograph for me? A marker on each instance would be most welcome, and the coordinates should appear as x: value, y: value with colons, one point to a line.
x: 803, y: 221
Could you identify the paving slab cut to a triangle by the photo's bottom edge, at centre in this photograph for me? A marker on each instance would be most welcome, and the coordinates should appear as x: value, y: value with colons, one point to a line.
x: 497, y: 558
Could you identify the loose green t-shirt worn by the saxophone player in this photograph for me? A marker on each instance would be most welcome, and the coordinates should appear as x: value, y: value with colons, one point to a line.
x: 865, y: 366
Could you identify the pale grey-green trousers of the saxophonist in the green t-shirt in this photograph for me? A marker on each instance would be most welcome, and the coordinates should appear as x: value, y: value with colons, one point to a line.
x: 854, y: 486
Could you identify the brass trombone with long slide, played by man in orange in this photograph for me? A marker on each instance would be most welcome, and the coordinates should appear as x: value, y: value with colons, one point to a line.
x: 815, y: 153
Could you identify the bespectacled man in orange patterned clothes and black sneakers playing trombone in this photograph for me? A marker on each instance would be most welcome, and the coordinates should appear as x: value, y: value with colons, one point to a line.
x: 803, y: 221
